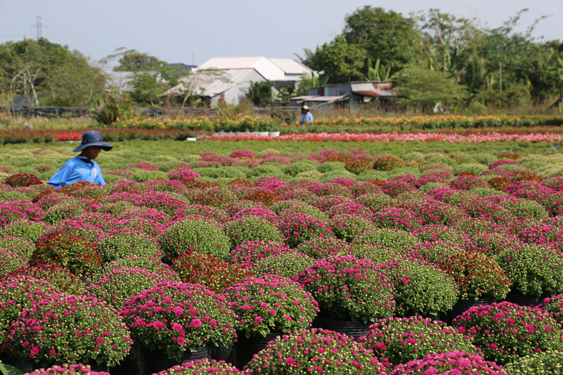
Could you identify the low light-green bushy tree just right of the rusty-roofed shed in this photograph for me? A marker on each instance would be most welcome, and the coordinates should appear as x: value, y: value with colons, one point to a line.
x: 421, y: 88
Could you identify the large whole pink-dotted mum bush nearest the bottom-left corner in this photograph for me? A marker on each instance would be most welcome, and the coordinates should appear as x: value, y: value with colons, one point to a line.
x: 69, y: 329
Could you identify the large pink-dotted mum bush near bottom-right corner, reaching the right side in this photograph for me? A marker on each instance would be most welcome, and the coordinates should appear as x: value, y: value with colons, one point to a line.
x: 505, y: 331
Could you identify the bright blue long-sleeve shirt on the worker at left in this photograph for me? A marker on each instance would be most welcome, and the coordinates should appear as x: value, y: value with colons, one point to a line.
x: 75, y: 170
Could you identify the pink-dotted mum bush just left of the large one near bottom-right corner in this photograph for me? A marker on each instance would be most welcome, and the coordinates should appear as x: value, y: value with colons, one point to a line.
x: 400, y: 340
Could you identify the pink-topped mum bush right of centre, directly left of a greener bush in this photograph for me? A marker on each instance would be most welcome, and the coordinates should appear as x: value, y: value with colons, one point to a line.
x: 350, y: 289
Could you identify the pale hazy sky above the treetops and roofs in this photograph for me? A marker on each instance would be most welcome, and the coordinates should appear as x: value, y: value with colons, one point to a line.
x: 176, y: 30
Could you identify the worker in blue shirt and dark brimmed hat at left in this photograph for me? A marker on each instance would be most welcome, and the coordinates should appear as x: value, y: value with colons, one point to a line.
x: 83, y: 167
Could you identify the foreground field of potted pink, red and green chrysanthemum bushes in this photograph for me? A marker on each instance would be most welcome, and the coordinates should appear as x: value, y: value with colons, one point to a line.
x: 321, y: 263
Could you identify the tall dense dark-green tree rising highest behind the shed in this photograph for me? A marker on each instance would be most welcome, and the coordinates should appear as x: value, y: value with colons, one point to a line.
x: 384, y: 35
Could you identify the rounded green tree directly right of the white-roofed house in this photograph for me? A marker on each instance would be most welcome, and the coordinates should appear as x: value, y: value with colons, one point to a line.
x: 339, y: 60
